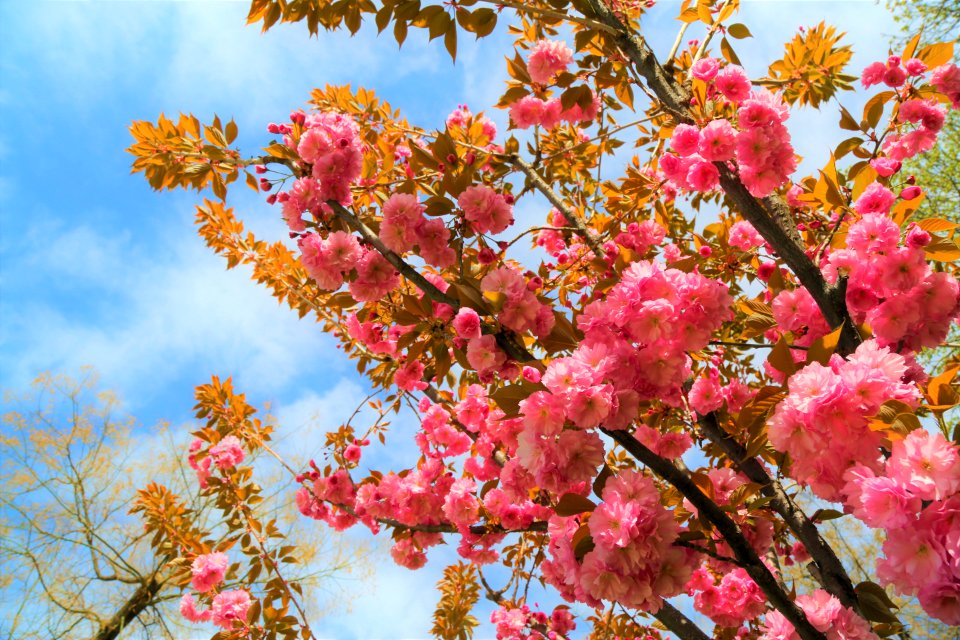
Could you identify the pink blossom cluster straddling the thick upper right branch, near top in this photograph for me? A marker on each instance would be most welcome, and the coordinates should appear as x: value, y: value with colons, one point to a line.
x: 760, y: 145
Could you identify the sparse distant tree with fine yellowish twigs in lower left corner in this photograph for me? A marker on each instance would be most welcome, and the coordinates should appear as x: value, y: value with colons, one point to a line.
x: 74, y: 563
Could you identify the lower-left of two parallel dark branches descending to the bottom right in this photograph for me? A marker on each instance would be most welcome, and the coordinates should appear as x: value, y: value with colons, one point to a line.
x: 727, y: 528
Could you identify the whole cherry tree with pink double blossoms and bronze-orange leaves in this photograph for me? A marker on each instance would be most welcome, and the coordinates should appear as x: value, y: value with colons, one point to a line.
x: 634, y: 415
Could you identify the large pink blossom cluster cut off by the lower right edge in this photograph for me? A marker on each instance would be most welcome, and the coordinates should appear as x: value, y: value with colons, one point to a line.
x: 915, y: 497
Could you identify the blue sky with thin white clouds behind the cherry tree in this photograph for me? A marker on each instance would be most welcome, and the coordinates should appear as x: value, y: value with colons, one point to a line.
x: 96, y: 269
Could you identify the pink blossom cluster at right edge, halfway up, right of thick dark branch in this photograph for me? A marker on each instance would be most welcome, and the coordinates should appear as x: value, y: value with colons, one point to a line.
x: 890, y: 284
